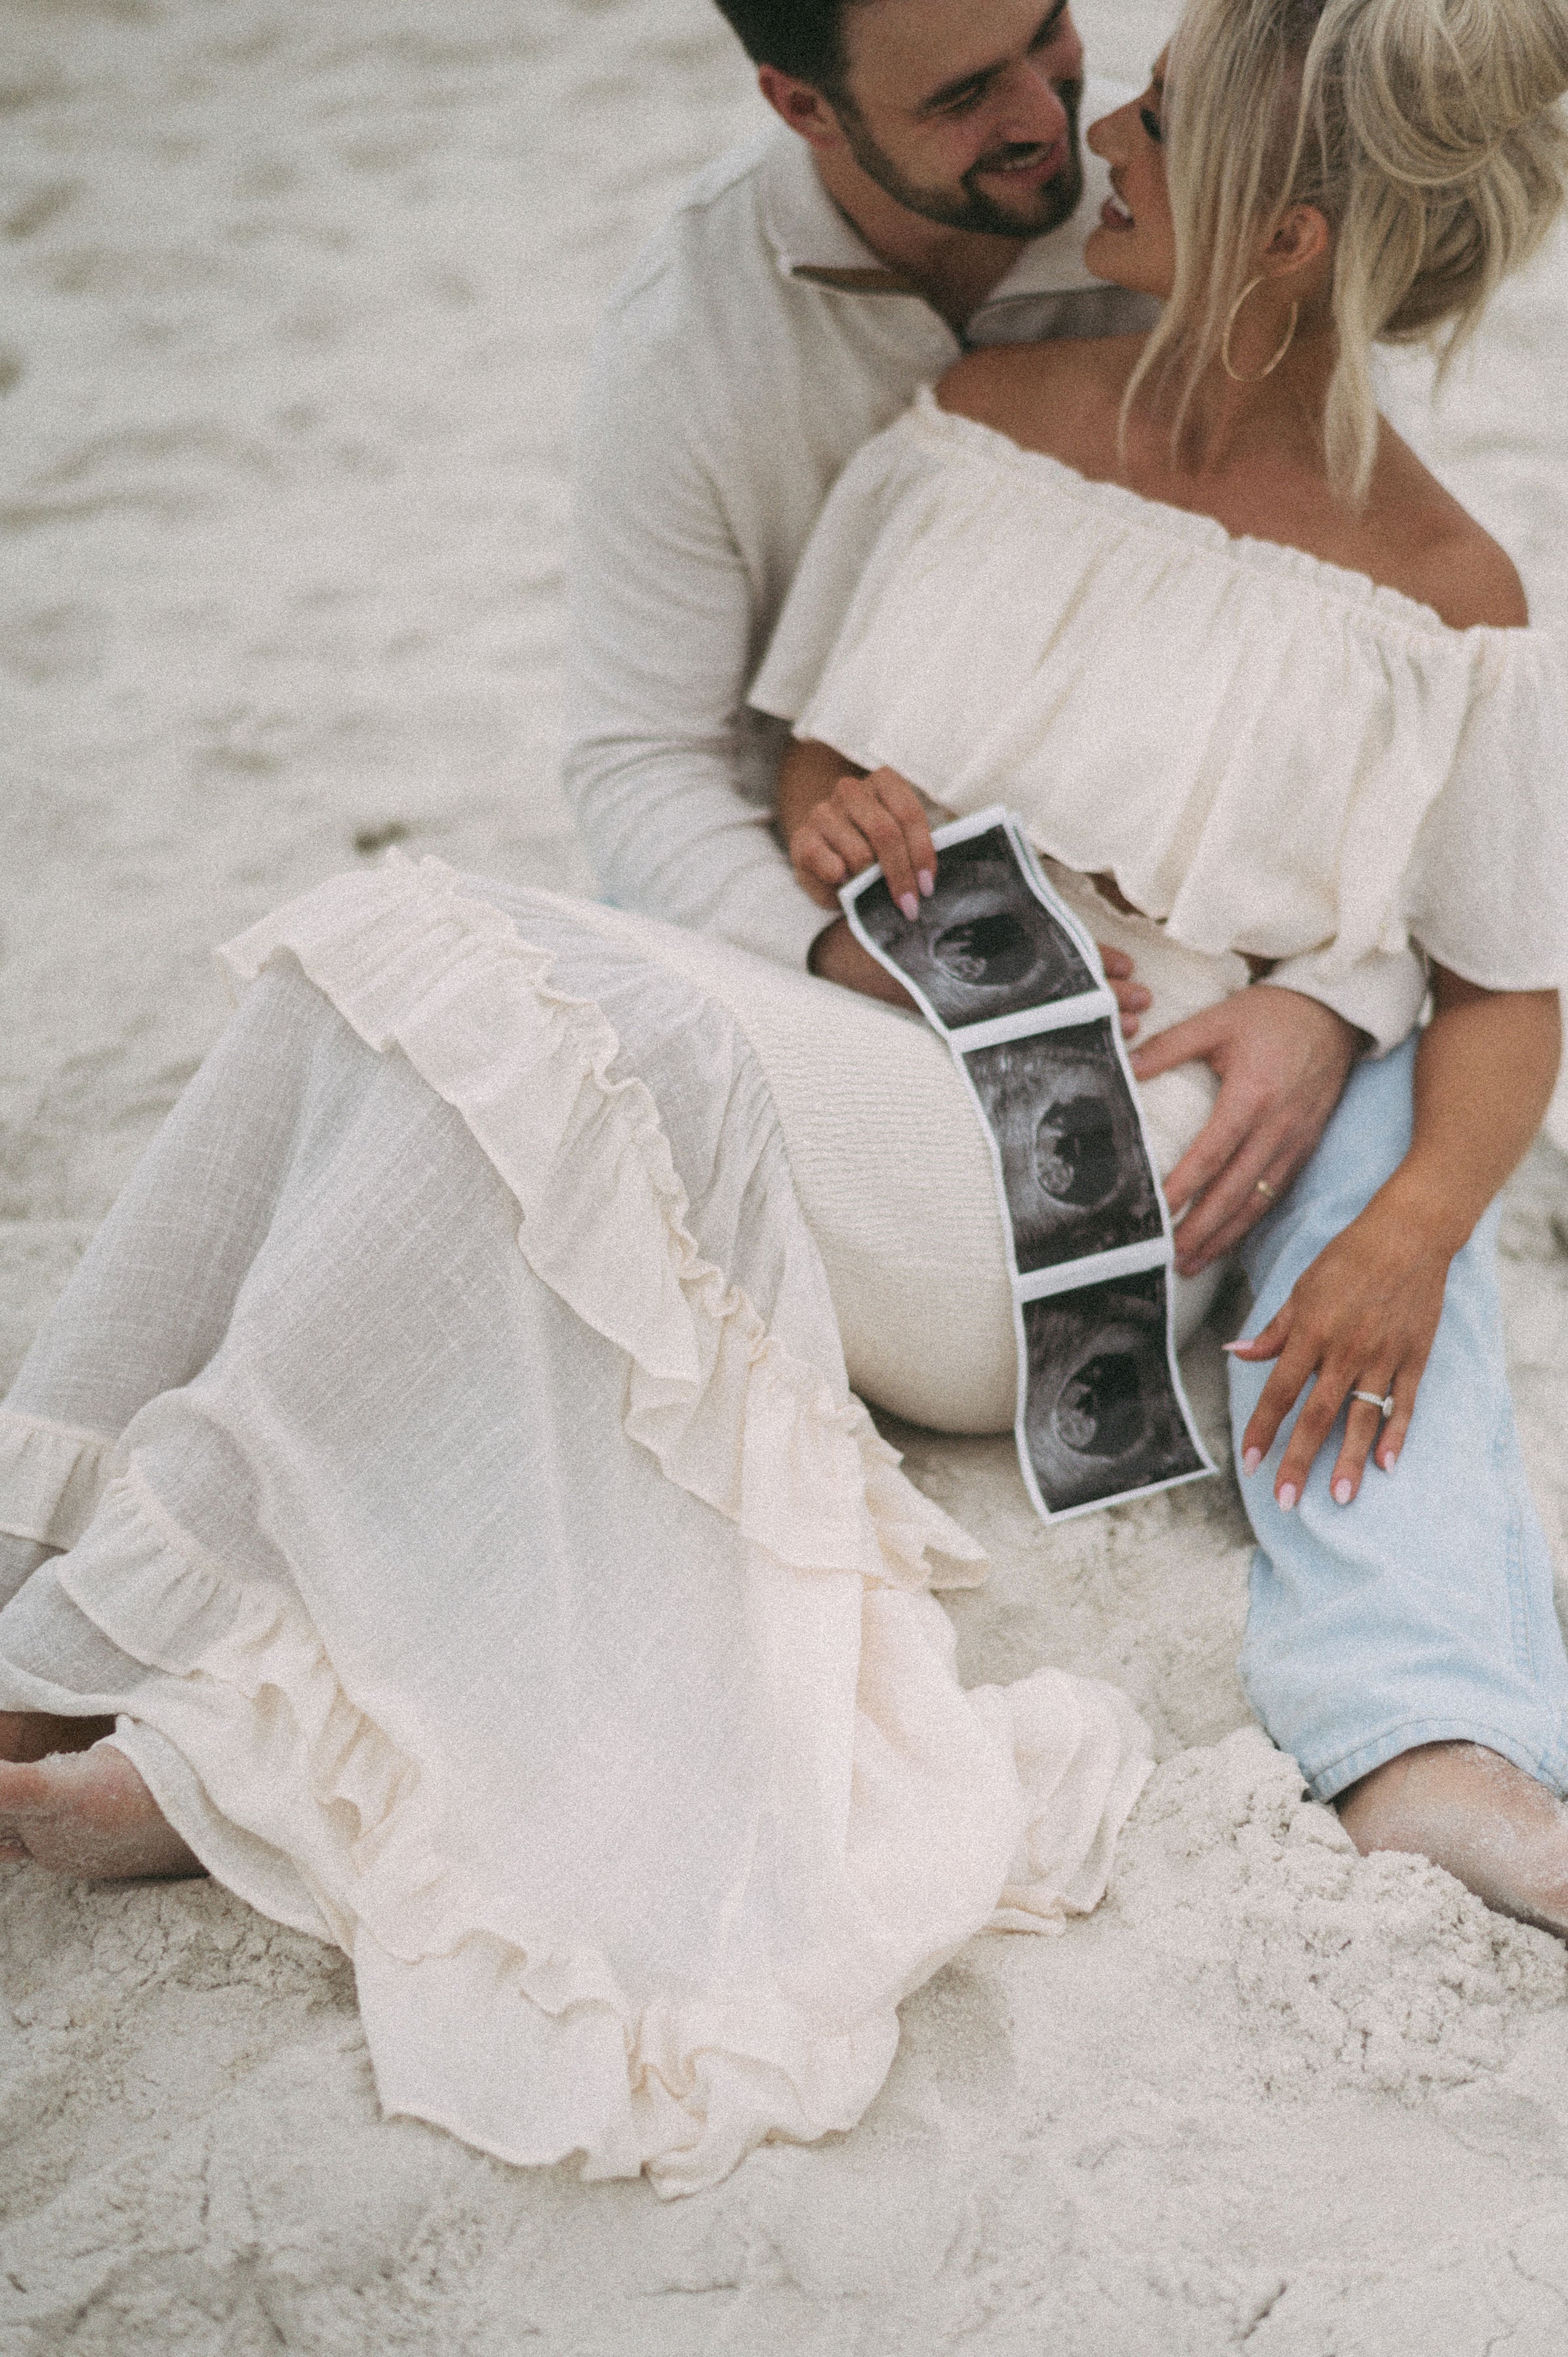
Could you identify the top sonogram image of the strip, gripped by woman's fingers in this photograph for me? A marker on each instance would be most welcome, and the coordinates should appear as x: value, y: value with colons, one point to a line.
x: 984, y: 944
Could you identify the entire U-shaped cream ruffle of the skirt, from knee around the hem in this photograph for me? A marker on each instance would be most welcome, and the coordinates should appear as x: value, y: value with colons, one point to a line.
x: 935, y: 1811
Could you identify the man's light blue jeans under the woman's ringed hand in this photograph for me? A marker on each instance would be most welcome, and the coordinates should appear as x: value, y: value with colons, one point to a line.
x: 1421, y: 1613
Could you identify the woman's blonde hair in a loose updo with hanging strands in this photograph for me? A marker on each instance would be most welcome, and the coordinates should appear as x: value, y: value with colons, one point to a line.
x: 1425, y: 131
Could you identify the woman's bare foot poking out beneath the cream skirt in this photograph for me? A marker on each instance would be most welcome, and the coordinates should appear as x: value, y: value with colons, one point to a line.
x: 86, y: 1814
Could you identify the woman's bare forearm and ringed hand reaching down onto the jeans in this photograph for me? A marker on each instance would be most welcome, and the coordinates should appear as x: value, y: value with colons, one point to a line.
x: 1366, y: 1312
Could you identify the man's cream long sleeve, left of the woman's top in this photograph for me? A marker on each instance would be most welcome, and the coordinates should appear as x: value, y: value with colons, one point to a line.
x: 661, y: 748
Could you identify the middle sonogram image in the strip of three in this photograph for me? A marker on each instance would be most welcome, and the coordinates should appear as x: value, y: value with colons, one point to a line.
x: 1074, y: 1163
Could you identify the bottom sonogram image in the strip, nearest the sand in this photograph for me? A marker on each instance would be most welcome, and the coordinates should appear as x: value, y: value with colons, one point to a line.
x: 1102, y: 1413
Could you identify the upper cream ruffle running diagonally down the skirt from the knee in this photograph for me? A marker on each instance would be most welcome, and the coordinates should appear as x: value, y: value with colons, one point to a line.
x: 730, y: 1413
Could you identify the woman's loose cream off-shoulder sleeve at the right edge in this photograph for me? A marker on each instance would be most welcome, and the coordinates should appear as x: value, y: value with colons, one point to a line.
x: 1487, y: 887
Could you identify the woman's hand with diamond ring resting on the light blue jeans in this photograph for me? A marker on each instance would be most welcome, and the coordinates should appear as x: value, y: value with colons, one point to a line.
x: 1359, y: 1319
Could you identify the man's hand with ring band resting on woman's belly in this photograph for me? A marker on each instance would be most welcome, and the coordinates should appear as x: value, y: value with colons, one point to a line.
x: 1282, y: 1064
